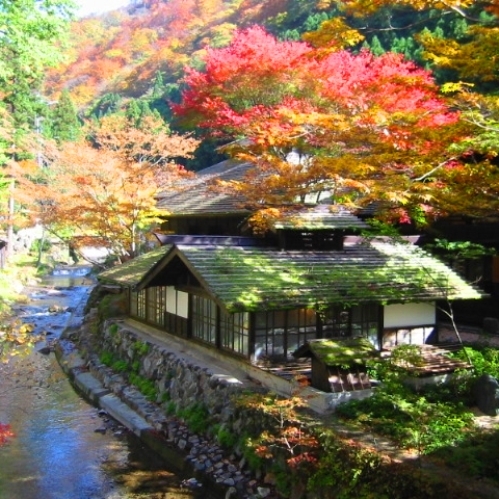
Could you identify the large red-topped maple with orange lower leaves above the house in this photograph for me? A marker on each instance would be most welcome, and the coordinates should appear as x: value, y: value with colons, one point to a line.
x: 356, y: 127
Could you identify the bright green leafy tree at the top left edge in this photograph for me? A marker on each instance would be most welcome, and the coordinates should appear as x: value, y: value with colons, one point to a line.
x: 32, y: 33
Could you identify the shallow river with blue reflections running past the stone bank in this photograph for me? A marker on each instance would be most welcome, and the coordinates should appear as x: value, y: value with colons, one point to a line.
x: 63, y: 447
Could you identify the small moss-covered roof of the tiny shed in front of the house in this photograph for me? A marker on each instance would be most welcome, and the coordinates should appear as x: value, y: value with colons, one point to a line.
x: 348, y: 351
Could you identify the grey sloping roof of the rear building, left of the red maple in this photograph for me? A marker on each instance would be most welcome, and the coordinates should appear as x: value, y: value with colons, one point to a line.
x: 195, y: 196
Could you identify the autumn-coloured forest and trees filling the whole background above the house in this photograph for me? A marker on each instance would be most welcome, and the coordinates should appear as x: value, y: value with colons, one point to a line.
x: 391, y: 102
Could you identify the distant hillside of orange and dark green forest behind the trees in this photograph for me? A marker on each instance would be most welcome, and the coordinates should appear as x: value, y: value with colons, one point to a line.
x: 142, y: 51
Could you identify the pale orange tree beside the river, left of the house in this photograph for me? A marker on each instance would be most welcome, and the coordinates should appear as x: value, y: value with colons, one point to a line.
x: 103, y: 189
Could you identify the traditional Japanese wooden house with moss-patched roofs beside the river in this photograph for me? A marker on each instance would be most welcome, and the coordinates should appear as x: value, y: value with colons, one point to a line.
x: 261, y: 299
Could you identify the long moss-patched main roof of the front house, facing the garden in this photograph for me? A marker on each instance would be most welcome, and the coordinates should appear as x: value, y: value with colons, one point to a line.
x: 255, y: 278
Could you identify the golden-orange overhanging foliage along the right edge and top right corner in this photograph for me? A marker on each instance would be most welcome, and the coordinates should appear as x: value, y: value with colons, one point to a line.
x: 469, y: 182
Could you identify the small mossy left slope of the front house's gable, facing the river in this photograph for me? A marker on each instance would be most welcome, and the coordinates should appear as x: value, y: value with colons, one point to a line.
x: 131, y: 272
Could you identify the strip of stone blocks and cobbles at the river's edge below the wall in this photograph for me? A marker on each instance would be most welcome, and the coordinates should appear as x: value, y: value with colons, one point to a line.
x: 211, y: 465
